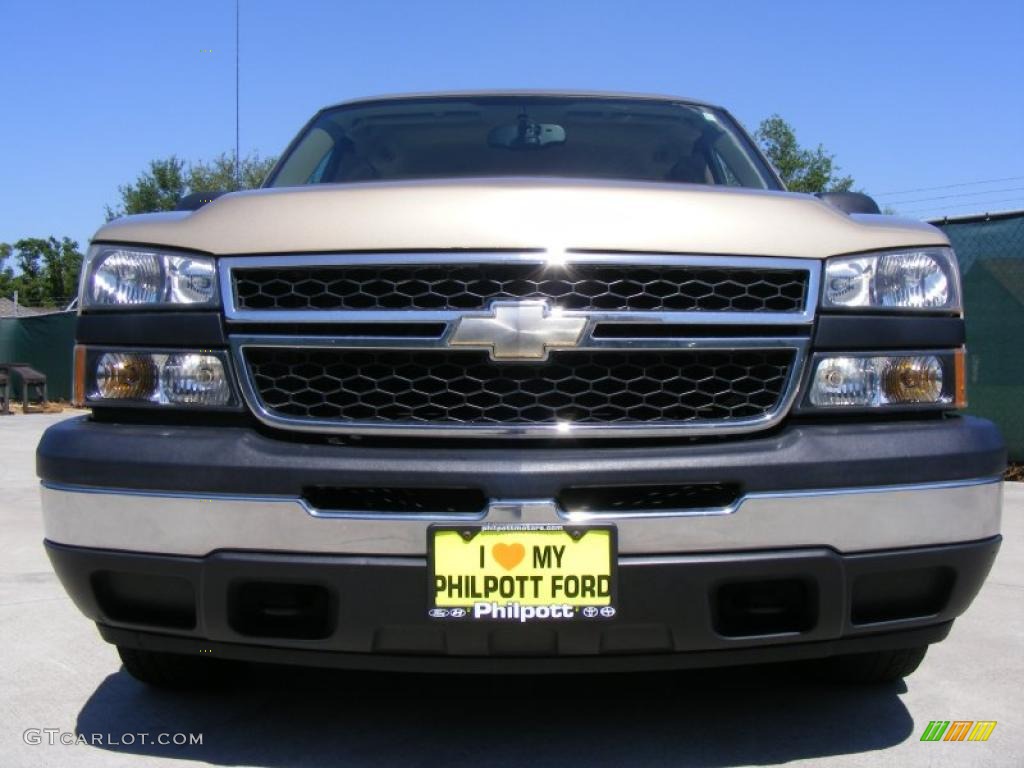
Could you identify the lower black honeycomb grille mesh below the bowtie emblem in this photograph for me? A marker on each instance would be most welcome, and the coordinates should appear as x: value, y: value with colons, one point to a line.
x: 444, y: 388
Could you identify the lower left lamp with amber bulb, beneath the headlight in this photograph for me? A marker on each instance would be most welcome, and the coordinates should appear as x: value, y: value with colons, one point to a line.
x: 187, y: 378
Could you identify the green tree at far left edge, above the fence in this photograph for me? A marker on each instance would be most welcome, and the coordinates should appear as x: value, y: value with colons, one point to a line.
x: 49, y: 271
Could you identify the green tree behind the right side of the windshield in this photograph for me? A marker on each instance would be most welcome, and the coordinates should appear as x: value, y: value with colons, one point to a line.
x: 802, y: 169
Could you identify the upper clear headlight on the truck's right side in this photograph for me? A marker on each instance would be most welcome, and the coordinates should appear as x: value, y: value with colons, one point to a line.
x: 924, y: 280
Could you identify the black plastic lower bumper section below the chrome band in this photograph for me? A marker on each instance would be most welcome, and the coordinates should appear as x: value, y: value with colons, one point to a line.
x: 674, y: 612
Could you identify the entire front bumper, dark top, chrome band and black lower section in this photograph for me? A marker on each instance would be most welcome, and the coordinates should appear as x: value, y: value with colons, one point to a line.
x: 860, y: 536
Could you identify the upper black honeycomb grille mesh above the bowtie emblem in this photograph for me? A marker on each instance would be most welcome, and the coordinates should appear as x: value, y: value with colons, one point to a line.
x: 573, y: 287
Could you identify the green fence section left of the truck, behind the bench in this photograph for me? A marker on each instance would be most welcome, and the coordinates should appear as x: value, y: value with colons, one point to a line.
x: 45, y: 342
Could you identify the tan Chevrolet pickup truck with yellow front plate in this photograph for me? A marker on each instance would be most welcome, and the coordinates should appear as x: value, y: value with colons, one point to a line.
x: 522, y: 382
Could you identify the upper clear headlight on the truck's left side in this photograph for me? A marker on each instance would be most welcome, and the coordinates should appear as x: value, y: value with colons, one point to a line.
x: 122, y: 276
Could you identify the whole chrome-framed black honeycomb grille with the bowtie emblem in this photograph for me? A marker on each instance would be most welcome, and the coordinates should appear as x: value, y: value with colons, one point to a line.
x: 374, y: 344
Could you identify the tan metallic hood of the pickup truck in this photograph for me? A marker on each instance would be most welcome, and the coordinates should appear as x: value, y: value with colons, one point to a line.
x: 486, y: 215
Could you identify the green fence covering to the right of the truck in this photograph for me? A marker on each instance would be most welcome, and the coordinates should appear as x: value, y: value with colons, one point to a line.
x: 991, y: 250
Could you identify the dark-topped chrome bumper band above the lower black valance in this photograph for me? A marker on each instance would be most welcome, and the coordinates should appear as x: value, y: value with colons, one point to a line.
x: 193, y: 491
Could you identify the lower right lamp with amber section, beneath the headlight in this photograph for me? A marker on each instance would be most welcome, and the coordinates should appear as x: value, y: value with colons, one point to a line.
x: 873, y: 381
